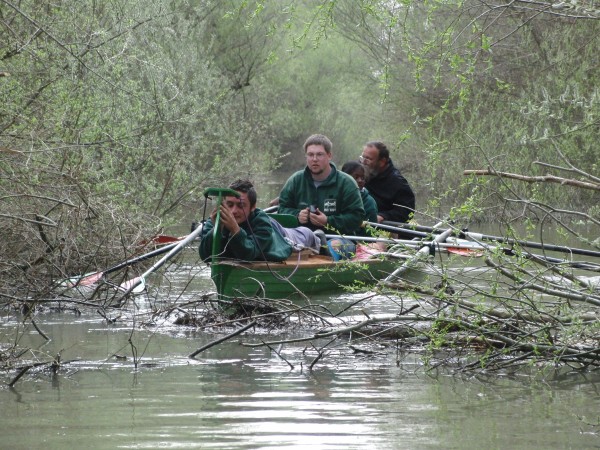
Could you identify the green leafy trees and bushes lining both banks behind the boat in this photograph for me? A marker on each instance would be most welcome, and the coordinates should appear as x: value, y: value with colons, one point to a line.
x: 116, y: 117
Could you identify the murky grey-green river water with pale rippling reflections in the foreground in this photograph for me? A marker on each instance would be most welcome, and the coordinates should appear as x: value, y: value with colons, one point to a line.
x: 235, y: 396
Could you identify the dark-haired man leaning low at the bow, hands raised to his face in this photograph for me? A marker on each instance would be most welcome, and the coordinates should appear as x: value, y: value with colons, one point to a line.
x: 248, y: 233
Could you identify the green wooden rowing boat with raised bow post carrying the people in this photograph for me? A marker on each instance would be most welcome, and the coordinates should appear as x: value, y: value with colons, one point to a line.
x: 303, y: 274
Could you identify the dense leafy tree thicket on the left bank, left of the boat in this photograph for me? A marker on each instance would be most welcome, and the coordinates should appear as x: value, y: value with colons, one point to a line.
x: 115, y: 116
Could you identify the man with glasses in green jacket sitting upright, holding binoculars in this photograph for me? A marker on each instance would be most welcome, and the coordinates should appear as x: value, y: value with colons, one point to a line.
x: 324, y: 198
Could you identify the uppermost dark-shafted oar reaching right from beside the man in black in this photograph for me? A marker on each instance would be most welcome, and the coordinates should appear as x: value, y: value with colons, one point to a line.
x: 407, y: 228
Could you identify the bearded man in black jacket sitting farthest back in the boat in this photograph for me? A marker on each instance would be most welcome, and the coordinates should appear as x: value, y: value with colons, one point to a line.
x: 392, y: 193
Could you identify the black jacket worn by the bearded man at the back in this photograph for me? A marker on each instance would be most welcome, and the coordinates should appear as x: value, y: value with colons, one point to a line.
x: 392, y: 193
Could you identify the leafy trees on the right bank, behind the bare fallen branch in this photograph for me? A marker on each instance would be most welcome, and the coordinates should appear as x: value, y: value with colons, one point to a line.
x: 470, y: 83
